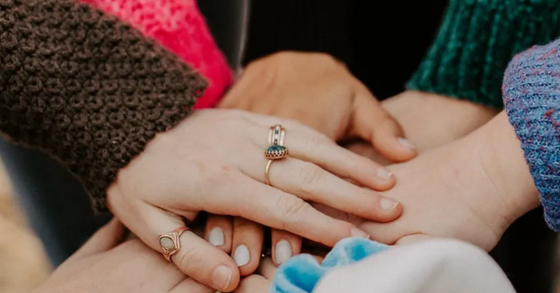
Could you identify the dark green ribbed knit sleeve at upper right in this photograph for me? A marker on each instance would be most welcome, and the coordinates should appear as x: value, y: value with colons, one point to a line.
x: 475, y: 43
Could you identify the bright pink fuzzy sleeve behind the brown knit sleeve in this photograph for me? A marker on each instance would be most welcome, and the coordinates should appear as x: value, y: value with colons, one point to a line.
x: 179, y: 26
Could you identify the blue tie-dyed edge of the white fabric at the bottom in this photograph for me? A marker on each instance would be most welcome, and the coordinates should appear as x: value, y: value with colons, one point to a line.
x: 302, y: 273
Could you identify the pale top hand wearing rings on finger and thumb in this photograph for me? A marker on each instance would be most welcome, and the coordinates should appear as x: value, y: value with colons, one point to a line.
x: 215, y: 161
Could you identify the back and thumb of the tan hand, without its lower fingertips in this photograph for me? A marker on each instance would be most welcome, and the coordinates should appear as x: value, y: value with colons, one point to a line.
x: 320, y: 92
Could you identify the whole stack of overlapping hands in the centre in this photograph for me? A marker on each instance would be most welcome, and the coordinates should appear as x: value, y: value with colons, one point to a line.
x: 416, y: 165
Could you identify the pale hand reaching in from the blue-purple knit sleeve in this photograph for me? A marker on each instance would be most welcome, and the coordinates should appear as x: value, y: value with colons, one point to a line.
x: 471, y: 189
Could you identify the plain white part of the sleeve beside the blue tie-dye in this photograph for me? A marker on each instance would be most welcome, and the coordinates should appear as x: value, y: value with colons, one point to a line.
x: 433, y: 266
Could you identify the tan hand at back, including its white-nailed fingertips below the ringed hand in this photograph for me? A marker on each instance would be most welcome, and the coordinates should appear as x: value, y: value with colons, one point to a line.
x: 316, y: 90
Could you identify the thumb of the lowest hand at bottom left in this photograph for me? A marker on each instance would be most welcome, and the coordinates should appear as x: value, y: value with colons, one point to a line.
x: 104, y: 239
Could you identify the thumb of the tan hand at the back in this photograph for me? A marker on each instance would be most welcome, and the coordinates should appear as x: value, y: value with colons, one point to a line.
x: 372, y: 123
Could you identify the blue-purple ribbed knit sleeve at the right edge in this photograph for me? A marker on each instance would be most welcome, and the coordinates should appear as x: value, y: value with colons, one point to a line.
x: 532, y: 102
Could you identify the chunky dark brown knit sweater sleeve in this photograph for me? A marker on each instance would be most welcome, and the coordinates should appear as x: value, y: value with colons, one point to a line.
x: 86, y: 88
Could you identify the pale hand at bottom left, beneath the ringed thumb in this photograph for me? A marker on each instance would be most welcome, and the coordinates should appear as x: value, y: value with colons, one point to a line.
x: 104, y: 264
